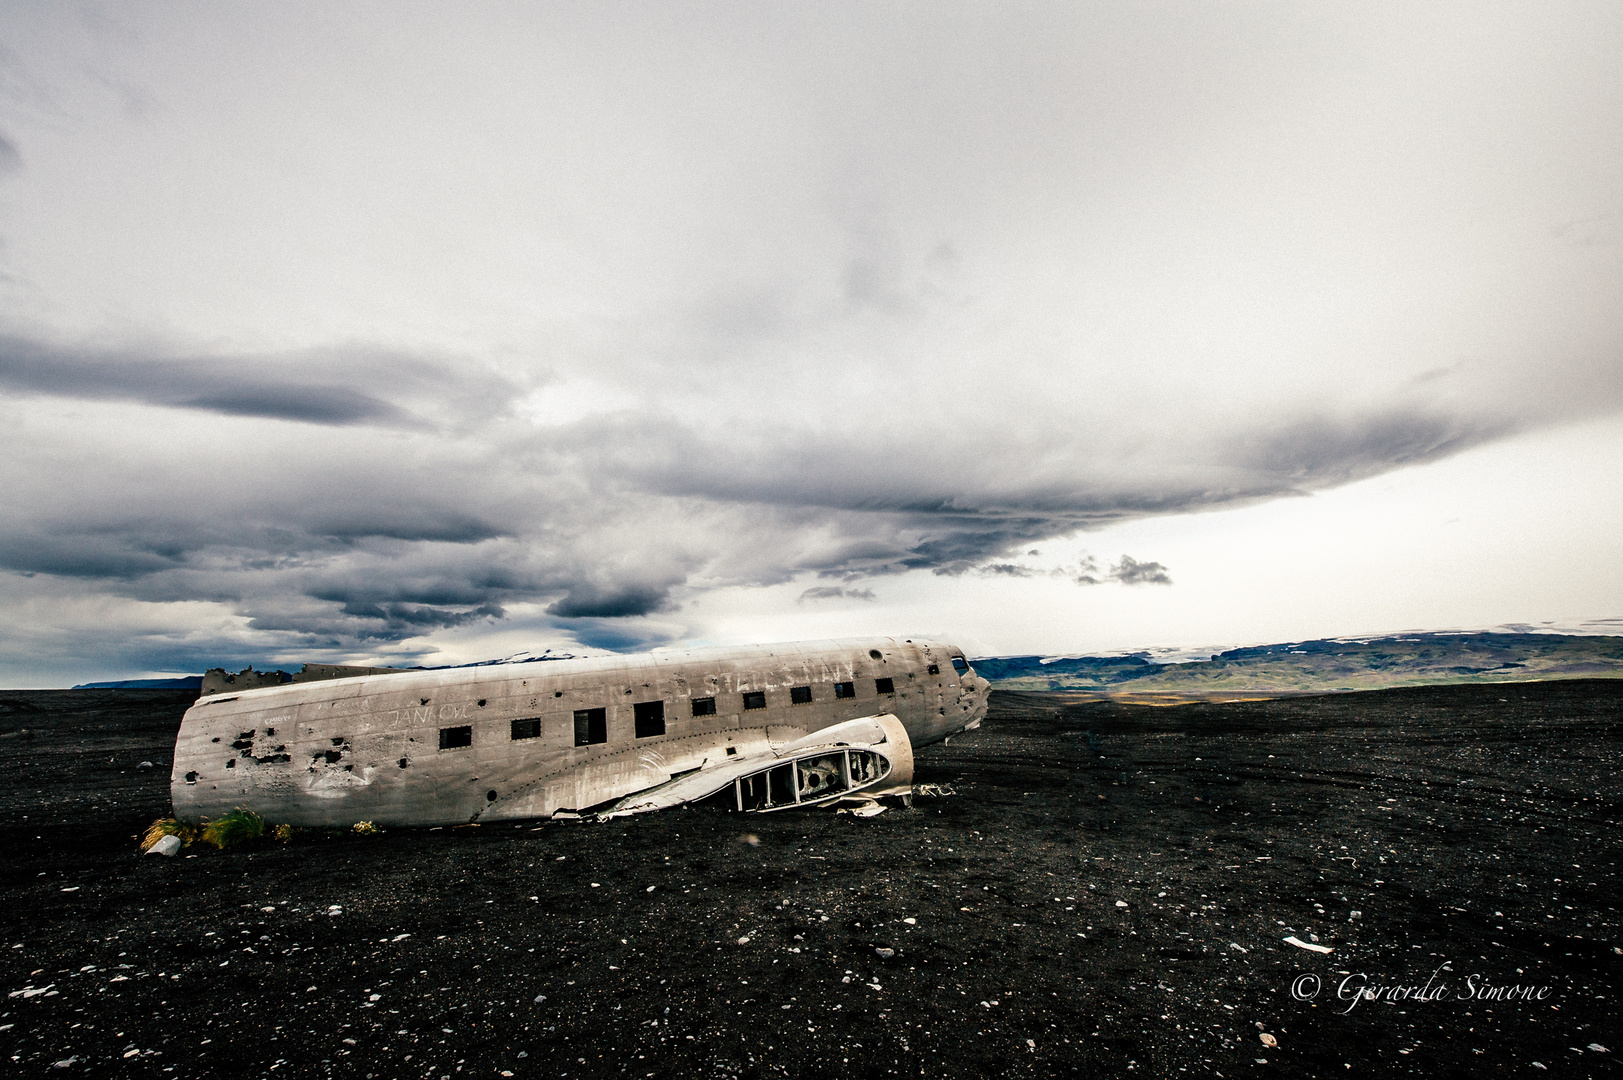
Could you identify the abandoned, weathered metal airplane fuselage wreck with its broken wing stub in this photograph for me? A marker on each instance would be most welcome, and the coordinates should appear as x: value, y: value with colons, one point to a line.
x: 760, y: 728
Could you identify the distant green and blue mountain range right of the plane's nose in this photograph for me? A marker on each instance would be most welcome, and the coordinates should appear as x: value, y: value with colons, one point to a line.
x: 1317, y: 667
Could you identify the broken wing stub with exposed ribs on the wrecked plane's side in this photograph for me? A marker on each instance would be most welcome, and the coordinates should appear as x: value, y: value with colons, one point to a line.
x: 864, y: 759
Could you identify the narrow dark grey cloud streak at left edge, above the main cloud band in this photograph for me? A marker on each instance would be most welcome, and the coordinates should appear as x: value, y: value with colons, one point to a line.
x: 329, y: 387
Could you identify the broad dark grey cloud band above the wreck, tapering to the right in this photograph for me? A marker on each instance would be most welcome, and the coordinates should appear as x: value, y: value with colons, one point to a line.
x: 603, y: 524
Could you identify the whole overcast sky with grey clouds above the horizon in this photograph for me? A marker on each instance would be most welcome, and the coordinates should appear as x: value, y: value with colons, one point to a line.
x: 428, y: 334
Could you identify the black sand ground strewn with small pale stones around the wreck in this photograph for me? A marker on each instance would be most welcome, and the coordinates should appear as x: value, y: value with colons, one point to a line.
x: 1476, y: 829
